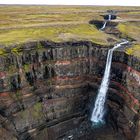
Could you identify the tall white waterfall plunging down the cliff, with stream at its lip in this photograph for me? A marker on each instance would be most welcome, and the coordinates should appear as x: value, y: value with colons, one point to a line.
x: 99, y: 110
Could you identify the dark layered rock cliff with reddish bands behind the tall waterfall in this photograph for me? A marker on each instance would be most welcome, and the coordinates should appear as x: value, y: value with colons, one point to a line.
x: 48, y: 91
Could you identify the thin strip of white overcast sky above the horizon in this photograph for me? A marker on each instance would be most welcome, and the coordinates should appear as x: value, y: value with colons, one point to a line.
x: 75, y: 2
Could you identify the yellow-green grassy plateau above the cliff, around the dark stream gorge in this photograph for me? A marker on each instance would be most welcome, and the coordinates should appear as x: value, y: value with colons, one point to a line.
x: 20, y: 24
